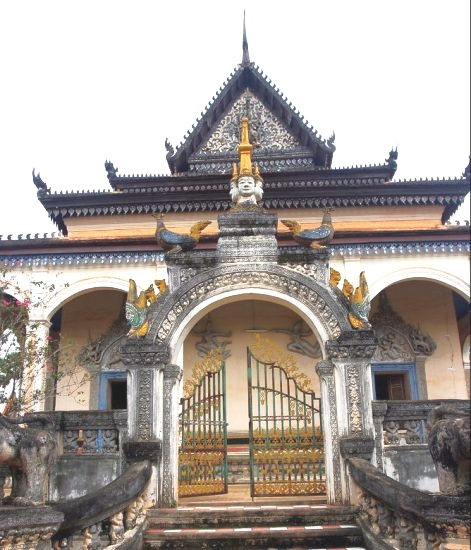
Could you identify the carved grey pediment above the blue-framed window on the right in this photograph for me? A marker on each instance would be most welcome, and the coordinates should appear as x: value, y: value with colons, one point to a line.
x: 397, y: 340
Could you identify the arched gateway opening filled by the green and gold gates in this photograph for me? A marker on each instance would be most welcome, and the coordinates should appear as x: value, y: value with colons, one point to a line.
x: 250, y: 411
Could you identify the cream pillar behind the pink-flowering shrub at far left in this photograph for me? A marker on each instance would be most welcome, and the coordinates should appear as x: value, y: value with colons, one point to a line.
x: 33, y: 384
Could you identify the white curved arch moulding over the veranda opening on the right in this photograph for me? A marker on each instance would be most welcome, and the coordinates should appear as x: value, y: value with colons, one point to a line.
x: 454, y: 282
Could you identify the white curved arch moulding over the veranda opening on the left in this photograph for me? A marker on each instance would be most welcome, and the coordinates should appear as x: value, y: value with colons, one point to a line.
x: 84, y: 286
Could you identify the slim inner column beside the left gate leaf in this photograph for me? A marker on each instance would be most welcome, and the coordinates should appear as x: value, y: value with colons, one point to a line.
x: 169, y: 486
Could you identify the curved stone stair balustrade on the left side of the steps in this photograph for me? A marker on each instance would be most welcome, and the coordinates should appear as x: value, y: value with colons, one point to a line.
x: 112, y: 516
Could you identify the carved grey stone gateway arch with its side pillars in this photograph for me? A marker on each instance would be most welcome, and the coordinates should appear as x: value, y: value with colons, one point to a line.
x: 155, y: 363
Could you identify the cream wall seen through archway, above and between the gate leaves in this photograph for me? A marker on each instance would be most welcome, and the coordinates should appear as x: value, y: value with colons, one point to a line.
x: 236, y: 318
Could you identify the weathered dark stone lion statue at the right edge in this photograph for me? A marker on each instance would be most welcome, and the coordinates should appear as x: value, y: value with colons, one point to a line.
x: 449, y: 445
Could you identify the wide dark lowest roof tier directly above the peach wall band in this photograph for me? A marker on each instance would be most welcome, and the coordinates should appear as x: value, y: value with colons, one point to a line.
x: 302, y: 190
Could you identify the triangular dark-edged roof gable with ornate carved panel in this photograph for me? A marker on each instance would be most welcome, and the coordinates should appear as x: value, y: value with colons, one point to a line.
x: 281, y: 137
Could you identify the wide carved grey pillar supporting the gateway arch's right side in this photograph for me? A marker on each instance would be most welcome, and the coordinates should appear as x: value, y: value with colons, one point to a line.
x: 351, y: 357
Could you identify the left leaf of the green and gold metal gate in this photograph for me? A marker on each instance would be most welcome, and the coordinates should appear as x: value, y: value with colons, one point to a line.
x: 202, y: 468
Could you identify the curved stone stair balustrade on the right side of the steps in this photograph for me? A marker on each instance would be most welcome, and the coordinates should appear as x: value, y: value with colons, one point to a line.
x: 393, y: 515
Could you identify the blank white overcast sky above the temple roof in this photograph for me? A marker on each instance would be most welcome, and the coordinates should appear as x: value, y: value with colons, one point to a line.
x: 82, y: 82
